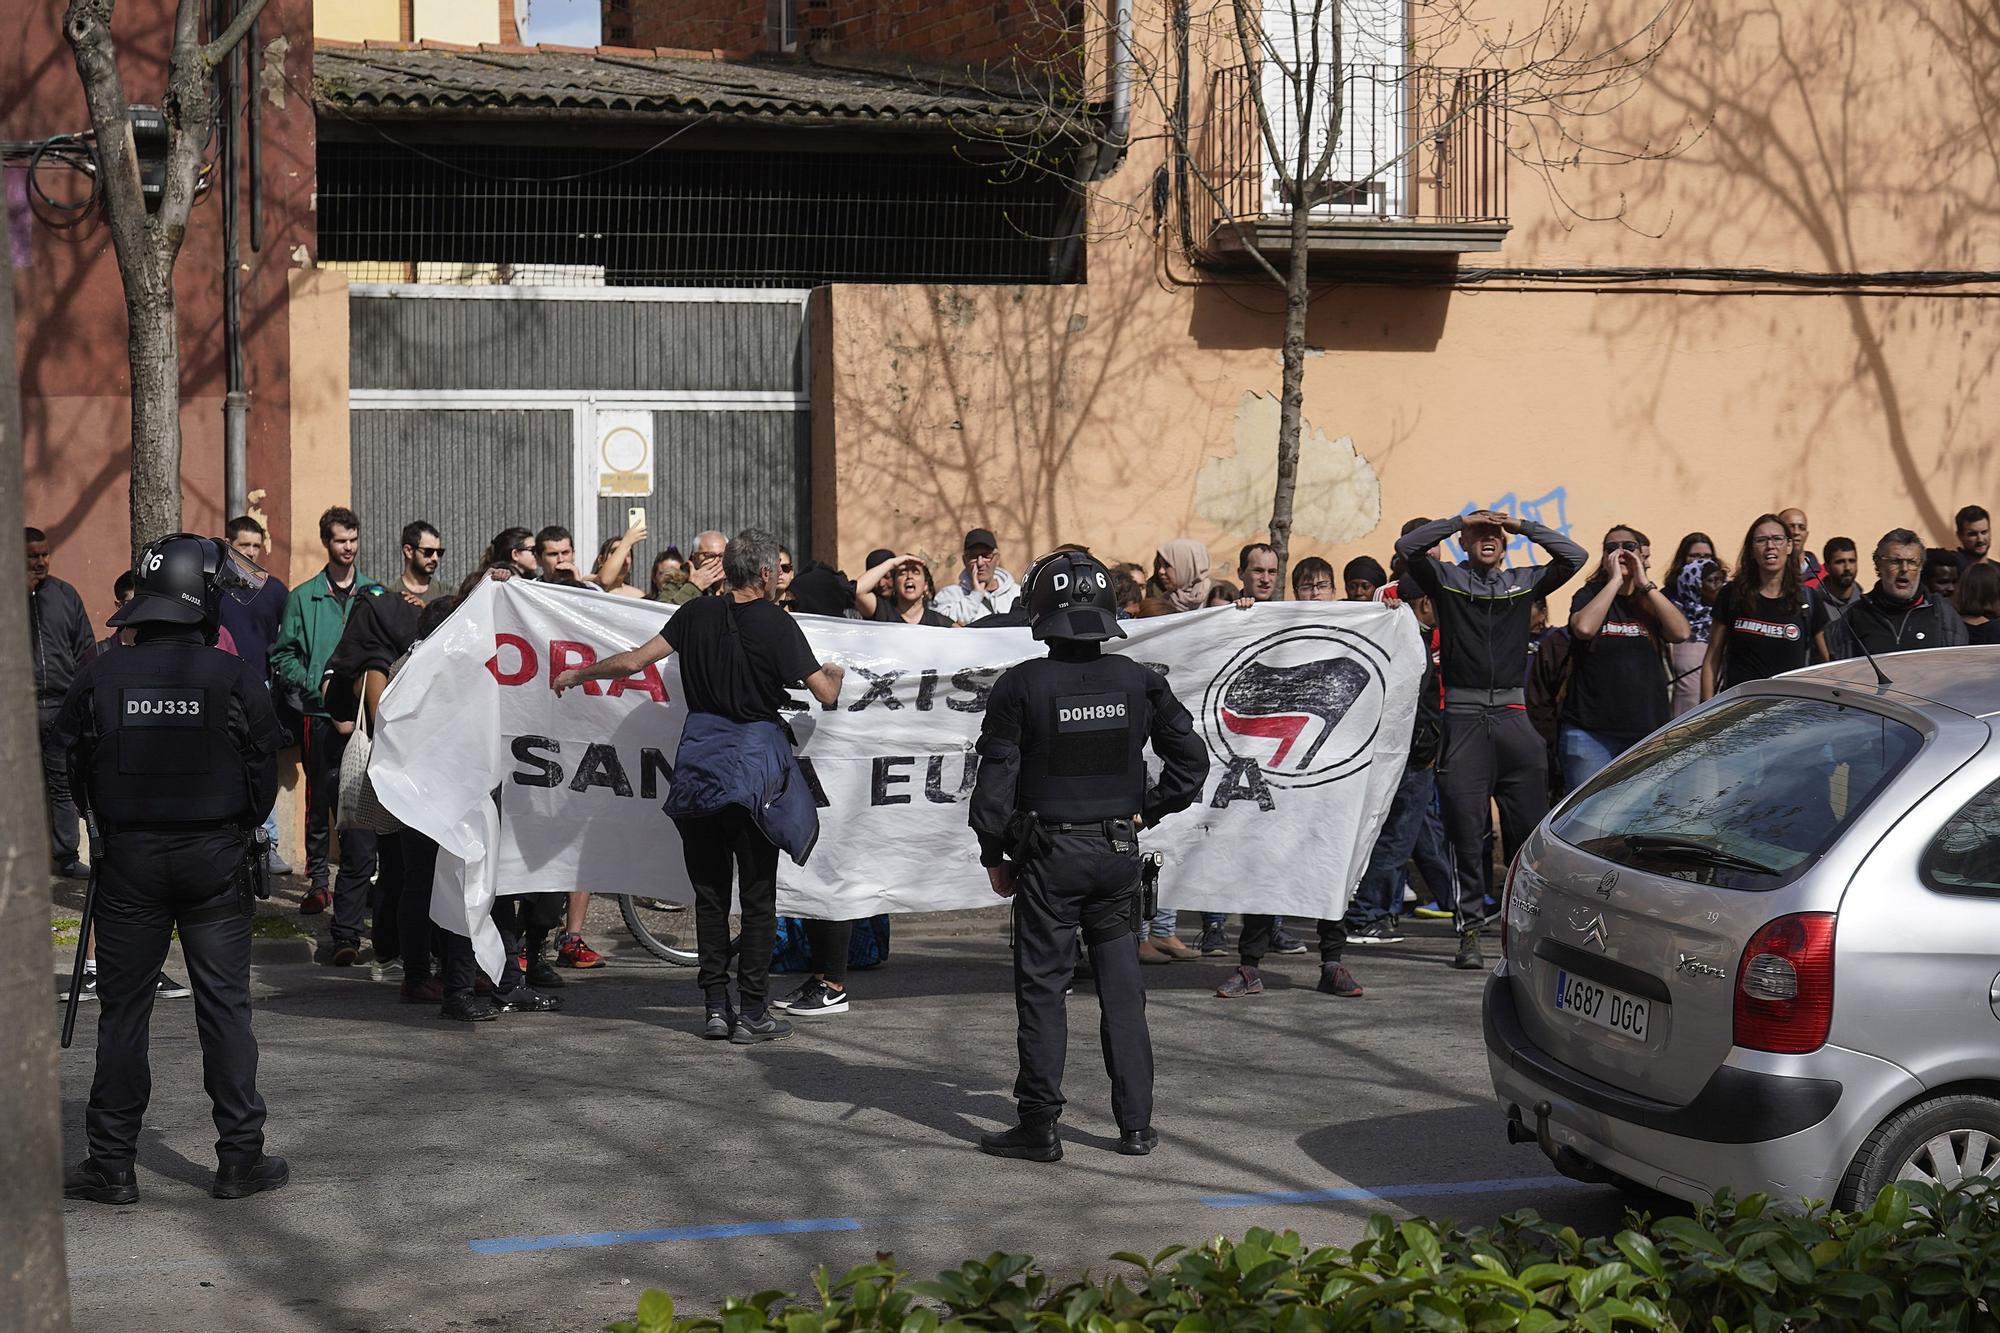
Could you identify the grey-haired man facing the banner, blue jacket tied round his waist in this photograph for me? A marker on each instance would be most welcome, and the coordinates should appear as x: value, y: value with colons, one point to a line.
x: 737, y: 796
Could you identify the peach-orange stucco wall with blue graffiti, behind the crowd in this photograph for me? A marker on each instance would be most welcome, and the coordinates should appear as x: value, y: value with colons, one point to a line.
x: 1815, y: 137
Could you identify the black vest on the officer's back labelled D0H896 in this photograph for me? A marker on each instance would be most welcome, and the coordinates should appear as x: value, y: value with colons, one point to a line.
x: 1083, y: 742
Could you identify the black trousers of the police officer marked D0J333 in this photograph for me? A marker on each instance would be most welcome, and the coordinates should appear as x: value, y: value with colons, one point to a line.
x: 151, y: 886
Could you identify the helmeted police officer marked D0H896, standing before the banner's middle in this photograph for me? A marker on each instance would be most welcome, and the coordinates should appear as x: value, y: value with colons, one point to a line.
x: 1057, y: 808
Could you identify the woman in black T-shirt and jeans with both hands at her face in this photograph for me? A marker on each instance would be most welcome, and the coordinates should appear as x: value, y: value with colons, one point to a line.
x: 1617, y: 694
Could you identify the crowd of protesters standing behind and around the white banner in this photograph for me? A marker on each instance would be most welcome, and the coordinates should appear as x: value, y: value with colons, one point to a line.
x: 1519, y: 704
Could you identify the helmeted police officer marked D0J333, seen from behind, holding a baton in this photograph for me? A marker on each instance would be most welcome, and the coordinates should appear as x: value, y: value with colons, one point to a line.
x: 171, y: 748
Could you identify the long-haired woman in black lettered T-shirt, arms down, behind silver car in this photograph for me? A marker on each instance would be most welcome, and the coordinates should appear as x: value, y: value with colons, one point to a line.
x: 1765, y: 619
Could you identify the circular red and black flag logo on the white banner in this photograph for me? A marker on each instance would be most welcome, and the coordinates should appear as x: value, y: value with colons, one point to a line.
x: 1303, y: 708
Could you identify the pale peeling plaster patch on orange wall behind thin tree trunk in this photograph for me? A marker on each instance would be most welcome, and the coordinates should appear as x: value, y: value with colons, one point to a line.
x: 1339, y: 497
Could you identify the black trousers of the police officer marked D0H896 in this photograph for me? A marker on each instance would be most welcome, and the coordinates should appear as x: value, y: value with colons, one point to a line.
x: 1081, y: 882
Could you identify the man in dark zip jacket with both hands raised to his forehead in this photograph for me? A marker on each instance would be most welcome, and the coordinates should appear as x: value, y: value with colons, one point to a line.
x: 1491, y: 750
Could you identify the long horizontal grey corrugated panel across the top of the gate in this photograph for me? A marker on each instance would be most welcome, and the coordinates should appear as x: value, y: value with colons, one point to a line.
x: 577, y: 345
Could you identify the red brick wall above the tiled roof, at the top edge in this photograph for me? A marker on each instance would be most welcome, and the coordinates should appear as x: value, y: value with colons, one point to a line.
x: 933, y: 31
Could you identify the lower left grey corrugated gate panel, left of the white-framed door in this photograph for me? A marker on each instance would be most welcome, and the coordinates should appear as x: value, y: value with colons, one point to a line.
x: 469, y: 473
